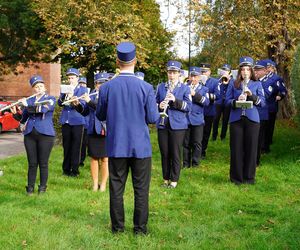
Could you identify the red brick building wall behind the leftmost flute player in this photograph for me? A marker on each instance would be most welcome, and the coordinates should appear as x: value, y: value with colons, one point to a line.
x: 13, y: 87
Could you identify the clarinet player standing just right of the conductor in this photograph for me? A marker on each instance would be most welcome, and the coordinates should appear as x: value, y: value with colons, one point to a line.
x: 174, y: 102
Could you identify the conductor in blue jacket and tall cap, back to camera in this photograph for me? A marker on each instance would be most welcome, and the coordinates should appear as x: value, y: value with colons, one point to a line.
x: 128, y: 104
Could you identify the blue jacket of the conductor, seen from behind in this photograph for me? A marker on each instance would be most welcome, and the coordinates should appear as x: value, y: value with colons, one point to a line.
x: 128, y: 105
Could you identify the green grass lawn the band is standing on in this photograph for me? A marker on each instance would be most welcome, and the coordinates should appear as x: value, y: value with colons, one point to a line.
x: 206, y: 211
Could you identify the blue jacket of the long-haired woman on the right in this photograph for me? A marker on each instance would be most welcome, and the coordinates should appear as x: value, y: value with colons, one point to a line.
x: 233, y: 94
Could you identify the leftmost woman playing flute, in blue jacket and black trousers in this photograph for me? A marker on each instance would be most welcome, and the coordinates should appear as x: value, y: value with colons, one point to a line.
x: 38, y: 132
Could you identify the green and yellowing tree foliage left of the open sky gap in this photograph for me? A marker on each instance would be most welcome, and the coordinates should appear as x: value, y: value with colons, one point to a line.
x: 83, y: 33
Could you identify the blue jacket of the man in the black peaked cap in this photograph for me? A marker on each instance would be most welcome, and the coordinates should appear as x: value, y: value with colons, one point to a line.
x: 213, y: 95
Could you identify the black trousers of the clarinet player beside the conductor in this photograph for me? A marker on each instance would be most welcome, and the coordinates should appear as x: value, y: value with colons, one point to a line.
x: 170, y: 144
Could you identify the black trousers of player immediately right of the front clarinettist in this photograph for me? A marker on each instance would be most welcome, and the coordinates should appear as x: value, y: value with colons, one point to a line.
x: 192, y: 145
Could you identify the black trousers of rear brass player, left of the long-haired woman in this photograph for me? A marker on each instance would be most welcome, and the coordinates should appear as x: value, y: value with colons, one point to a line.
x: 224, y: 111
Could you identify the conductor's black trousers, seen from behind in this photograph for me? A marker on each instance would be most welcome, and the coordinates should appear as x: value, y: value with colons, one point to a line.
x: 141, y: 174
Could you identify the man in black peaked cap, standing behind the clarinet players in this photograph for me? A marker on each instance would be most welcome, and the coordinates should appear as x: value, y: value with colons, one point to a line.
x: 209, y: 111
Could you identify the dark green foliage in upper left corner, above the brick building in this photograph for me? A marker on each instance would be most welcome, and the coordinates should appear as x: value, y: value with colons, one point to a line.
x: 22, y: 36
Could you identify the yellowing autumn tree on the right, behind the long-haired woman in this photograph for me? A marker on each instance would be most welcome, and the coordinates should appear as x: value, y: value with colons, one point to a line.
x: 259, y: 28
